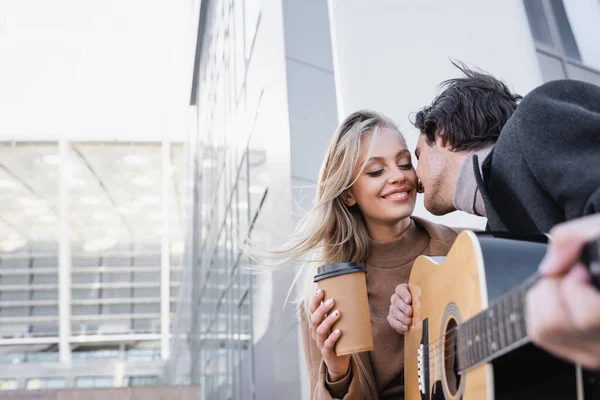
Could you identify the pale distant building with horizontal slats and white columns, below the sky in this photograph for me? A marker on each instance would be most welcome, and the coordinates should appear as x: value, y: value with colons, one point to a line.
x: 90, y: 262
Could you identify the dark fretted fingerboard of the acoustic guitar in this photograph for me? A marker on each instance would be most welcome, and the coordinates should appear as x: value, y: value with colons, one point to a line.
x: 494, y: 331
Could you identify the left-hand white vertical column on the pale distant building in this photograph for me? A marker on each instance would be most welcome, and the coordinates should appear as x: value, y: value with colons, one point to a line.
x: 64, y: 254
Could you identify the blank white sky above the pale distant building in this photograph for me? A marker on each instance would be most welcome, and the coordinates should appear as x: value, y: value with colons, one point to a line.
x: 96, y: 70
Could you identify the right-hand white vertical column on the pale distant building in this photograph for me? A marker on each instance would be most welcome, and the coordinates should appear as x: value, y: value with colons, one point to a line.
x: 165, y: 253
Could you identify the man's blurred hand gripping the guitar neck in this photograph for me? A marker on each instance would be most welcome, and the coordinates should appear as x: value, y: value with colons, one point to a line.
x: 563, y: 308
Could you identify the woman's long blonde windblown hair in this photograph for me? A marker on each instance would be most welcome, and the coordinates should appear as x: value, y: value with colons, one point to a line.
x: 332, y: 231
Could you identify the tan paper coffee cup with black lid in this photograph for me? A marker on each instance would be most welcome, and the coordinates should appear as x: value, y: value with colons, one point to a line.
x: 346, y: 284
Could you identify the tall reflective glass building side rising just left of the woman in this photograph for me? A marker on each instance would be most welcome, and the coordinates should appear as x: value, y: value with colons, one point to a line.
x: 265, y: 107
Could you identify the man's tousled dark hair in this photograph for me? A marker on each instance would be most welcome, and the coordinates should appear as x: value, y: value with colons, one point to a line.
x: 470, y: 112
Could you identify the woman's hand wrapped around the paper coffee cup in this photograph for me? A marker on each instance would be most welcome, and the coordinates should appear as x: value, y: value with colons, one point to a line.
x: 323, y: 316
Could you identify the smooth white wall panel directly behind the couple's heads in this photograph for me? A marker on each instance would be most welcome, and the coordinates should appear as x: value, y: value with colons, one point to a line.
x: 390, y: 55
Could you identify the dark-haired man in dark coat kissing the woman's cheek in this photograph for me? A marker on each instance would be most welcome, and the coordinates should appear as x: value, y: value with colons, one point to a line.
x: 527, y: 164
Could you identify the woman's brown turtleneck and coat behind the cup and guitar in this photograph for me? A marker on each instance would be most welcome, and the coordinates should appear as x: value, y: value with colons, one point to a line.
x: 378, y: 374
